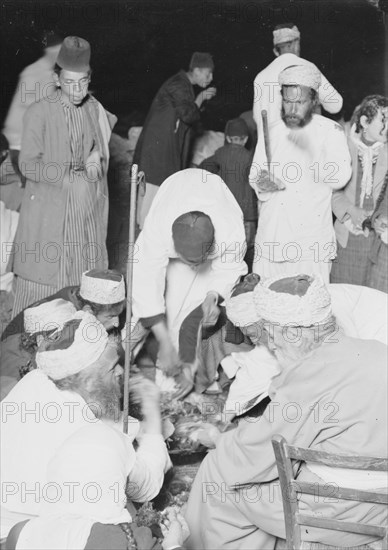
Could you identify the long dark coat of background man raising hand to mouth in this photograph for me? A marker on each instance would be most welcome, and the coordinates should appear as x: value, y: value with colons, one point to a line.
x: 164, y: 144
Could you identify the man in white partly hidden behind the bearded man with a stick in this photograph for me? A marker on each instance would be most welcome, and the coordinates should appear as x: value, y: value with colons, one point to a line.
x: 286, y: 41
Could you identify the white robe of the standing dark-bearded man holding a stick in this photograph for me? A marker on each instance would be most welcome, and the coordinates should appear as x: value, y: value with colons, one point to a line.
x: 295, y: 225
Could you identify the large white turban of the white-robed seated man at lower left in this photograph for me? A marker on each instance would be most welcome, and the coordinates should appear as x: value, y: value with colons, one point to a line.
x: 80, y: 343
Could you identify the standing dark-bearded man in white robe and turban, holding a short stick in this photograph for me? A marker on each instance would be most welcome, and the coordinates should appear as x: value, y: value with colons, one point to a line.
x: 309, y: 159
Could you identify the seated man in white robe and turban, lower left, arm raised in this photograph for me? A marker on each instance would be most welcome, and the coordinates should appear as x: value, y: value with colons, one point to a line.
x: 71, y: 437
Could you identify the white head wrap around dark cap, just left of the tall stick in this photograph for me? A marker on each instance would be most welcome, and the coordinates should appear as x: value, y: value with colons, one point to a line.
x: 102, y: 286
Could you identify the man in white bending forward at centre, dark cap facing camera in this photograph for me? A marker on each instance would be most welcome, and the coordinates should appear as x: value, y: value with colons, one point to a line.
x: 189, y: 253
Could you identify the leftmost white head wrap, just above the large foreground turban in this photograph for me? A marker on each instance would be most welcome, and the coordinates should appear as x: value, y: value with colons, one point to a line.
x: 48, y: 316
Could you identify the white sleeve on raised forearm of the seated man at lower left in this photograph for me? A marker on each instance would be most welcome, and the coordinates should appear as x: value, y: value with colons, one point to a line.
x: 152, y: 461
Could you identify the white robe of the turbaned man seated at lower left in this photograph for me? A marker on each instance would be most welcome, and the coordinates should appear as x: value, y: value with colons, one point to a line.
x: 37, y: 421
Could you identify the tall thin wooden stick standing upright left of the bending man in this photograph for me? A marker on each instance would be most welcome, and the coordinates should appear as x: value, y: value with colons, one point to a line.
x: 131, y: 249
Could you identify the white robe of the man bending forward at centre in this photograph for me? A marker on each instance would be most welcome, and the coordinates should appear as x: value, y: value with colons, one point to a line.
x: 164, y: 284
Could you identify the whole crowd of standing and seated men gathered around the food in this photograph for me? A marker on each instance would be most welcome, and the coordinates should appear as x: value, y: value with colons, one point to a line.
x: 231, y: 280
